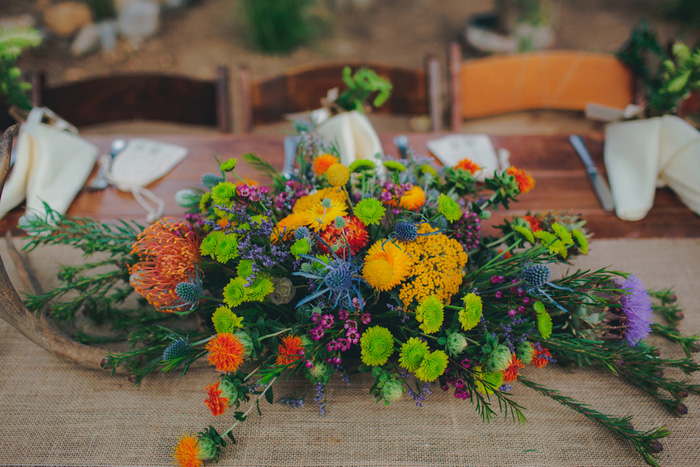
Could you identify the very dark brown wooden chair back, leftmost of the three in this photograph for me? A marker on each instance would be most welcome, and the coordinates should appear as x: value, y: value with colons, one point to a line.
x: 140, y: 96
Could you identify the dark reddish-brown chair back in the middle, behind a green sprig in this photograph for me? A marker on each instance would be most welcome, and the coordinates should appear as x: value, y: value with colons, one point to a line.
x: 300, y: 89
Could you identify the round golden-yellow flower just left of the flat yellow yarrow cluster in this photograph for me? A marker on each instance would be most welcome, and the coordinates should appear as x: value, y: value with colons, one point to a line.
x: 386, y: 265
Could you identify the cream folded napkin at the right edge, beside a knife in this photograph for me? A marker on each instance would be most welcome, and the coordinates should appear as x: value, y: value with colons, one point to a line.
x: 642, y: 155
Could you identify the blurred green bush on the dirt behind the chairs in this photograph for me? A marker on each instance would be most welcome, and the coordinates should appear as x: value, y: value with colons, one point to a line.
x: 279, y: 26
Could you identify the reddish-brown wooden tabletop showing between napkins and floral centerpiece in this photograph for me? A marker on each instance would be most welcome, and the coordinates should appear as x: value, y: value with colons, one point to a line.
x: 561, y: 182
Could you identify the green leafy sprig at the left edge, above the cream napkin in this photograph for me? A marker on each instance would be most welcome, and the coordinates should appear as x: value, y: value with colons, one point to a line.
x: 12, y: 42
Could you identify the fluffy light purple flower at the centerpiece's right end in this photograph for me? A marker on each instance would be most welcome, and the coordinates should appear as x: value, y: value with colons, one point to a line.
x: 636, y: 307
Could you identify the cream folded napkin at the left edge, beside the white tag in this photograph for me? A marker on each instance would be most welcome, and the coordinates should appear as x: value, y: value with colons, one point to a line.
x: 51, y: 166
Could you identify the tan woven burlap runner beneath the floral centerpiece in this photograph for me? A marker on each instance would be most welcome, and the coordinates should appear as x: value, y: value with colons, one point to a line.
x: 54, y: 413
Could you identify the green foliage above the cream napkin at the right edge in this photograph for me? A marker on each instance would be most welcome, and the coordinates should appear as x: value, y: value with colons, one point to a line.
x: 667, y: 79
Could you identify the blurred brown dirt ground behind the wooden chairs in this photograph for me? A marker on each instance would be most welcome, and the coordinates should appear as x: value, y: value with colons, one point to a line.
x: 195, y: 40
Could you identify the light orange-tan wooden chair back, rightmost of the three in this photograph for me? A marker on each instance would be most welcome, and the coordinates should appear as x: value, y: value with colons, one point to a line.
x: 564, y: 80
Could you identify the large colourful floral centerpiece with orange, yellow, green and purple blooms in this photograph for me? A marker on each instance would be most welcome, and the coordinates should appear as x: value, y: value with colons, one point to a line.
x: 335, y: 270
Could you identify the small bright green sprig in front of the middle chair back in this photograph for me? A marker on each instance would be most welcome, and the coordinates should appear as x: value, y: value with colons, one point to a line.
x: 360, y: 87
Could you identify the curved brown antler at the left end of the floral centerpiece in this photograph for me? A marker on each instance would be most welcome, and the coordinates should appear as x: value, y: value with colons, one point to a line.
x: 14, y: 312
